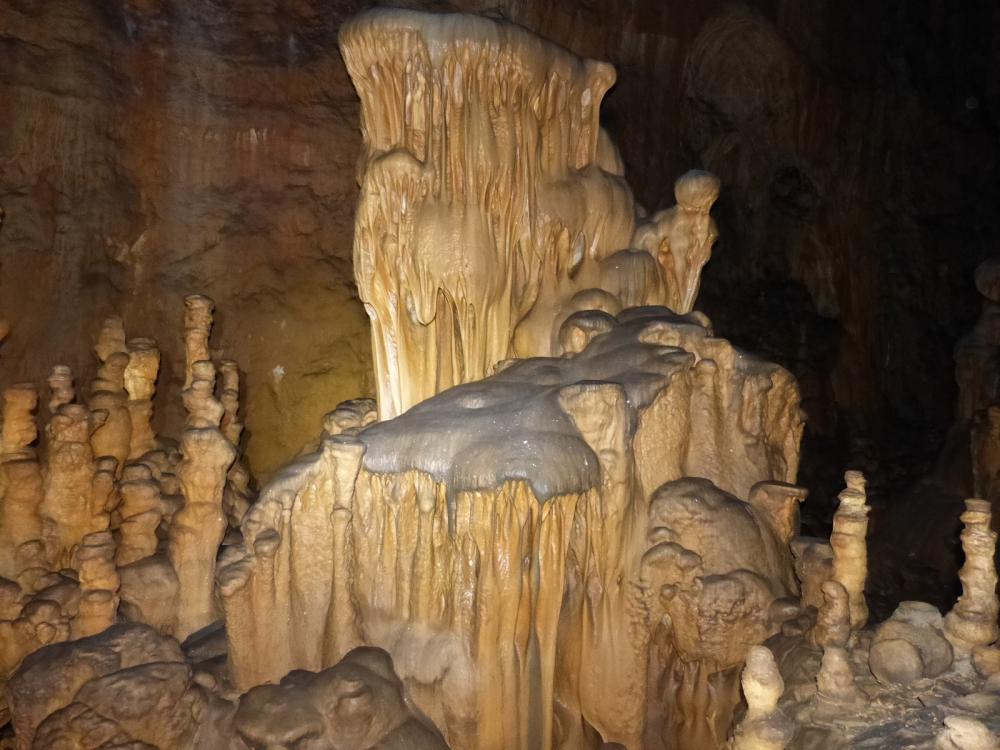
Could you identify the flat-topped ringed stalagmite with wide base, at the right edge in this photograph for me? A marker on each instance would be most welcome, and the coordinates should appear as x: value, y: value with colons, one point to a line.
x: 972, y: 621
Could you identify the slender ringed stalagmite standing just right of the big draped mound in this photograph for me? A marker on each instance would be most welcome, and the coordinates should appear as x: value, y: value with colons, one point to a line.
x: 850, y: 551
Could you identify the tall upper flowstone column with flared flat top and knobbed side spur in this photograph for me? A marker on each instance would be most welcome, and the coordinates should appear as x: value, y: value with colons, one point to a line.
x: 492, y: 203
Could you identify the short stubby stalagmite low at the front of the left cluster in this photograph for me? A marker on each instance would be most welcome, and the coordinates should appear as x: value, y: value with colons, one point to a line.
x: 99, y: 582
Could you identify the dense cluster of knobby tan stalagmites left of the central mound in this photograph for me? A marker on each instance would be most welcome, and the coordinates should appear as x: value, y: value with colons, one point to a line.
x: 100, y: 519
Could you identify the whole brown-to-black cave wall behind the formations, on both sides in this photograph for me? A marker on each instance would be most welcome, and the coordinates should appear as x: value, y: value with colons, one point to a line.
x: 150, y: 148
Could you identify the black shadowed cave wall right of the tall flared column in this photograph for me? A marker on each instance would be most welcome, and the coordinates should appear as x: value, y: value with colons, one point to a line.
x: 857, y: 147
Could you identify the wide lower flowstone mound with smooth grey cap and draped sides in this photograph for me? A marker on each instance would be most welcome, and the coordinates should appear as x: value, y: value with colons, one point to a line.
x: 530, y: 541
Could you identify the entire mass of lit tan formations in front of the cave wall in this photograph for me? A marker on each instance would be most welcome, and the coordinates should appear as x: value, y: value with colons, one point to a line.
x: 576, y: 525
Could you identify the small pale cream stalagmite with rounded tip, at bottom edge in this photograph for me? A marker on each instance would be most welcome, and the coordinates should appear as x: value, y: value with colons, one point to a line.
x: 765, y: 726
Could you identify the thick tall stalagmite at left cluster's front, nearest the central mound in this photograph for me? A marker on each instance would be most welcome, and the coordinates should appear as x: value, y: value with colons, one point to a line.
x: 198, y: 528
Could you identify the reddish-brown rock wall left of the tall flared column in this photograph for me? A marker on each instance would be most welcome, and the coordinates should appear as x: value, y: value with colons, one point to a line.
x: 160, y: 147
